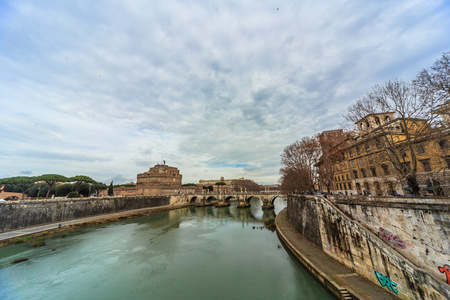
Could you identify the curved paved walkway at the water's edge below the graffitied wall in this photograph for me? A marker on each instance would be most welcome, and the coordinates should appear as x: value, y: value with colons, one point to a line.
x: 336, y: 277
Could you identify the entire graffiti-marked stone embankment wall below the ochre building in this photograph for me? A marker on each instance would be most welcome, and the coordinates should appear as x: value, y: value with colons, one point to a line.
x: 372, y: 252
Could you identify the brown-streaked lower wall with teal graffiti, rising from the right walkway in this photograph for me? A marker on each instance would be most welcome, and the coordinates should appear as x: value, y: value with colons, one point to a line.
x: 358, y: 248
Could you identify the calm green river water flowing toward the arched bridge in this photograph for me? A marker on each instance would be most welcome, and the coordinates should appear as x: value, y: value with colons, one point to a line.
x: 190, y: 253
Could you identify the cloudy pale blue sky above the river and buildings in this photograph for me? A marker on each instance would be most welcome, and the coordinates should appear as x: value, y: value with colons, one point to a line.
x: 109, y: 89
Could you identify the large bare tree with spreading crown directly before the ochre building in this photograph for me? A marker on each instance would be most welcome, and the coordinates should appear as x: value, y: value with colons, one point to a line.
x: 413, y: 116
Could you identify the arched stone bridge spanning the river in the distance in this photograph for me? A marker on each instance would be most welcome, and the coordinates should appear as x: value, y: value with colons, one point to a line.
x: 220, y: 199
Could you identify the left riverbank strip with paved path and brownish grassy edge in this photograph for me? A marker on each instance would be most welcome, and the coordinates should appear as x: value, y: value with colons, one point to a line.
x: 34, y: 235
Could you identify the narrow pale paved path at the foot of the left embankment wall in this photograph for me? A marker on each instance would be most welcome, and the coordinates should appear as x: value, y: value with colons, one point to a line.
x: 45, y: 227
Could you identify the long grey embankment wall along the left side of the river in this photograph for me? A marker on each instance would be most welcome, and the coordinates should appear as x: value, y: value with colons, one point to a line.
x: 20, y: 214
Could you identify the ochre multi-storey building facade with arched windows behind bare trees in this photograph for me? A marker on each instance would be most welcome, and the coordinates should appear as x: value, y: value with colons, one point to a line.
x: 376, y: 159
